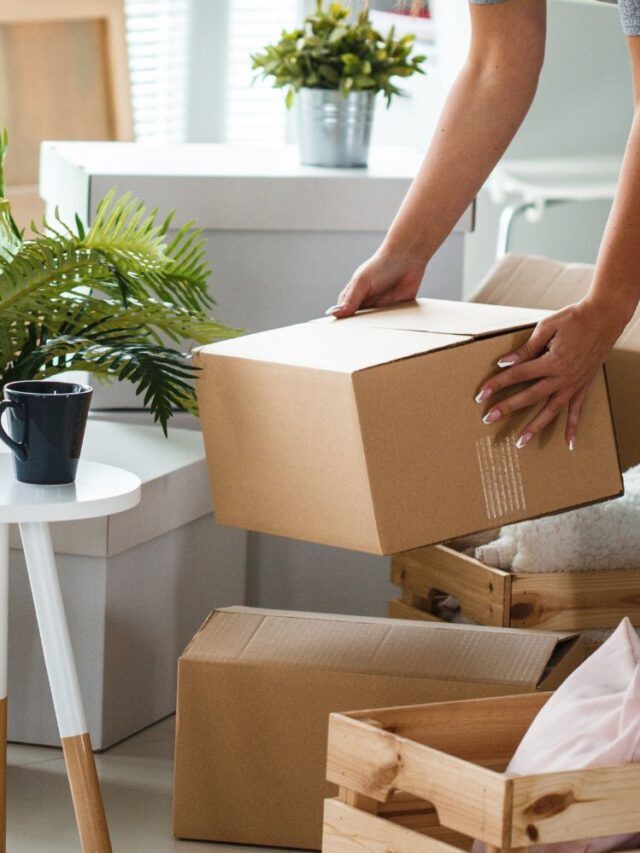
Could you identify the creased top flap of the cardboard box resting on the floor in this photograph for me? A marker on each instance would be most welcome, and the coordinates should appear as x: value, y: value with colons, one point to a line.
x: 375, y: 646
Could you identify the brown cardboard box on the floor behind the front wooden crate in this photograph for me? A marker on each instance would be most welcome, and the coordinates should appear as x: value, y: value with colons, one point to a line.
x: 255, y: 689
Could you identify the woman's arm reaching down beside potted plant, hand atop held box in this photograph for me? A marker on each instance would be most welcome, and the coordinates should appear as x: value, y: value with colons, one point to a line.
x: 483, y: 111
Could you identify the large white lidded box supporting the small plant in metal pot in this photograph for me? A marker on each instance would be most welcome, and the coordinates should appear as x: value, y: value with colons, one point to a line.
x: 283, y: 240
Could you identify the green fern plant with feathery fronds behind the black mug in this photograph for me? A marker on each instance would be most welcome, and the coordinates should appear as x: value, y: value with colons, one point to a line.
x: 106, y: 299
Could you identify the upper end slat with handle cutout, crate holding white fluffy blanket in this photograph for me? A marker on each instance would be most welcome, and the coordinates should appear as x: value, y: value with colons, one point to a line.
x: 483, y: 592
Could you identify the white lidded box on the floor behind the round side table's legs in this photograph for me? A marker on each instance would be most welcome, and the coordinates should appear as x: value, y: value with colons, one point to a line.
x: 134, y: 585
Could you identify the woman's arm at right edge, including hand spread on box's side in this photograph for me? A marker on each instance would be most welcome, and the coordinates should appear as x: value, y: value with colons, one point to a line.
x: 567, y: 349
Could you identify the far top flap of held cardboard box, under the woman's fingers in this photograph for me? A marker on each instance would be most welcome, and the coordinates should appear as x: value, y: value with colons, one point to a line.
x: 441, y: 316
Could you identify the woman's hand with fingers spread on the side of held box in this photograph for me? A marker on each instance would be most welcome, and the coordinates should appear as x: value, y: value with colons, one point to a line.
x: 559, y: 361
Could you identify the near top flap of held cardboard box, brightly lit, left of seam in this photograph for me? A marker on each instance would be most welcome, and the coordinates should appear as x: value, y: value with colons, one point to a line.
x: 335, y: 347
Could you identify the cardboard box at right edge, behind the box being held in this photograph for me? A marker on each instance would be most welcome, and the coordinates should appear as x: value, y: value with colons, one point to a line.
x: 536, y: 282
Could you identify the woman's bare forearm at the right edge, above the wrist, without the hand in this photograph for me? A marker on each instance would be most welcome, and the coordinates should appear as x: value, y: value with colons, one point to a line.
x: 616, y: 283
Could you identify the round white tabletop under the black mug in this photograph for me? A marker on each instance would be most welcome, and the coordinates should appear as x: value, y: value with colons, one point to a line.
x: 98, y: 490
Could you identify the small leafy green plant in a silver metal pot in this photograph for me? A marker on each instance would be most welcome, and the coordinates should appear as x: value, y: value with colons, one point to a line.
x: 337, y: 67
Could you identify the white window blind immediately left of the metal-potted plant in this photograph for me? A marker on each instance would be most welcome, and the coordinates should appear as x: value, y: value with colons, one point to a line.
x: 255, y: 113
